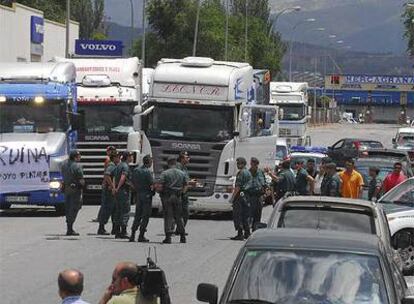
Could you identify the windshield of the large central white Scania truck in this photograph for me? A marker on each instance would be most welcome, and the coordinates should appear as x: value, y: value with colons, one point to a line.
x: 206, y: 123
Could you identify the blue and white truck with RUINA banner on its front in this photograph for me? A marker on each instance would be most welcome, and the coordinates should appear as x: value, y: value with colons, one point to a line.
x: 38, y: 123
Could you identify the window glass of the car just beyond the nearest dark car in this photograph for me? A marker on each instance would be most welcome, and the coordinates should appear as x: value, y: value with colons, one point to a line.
x: 328, y: 218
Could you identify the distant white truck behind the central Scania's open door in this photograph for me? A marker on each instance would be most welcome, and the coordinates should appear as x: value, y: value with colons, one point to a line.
x: 292, y: 100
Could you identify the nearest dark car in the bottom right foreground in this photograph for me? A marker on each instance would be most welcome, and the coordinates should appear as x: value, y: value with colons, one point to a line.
x: 289, y: 266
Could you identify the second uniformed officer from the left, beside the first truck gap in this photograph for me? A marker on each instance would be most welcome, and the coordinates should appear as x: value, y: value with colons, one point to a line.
x: 108, y: 201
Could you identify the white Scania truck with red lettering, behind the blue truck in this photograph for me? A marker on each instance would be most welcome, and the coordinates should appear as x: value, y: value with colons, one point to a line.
x: 108, y: 91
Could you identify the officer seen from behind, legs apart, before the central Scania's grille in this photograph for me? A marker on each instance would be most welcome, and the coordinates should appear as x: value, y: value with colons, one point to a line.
x: 171, y: 185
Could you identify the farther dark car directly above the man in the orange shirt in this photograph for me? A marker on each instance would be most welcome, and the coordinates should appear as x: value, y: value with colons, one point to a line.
x: 347, y: 148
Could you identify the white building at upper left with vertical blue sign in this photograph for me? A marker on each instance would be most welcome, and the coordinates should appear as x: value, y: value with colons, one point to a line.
x: 26, y: 35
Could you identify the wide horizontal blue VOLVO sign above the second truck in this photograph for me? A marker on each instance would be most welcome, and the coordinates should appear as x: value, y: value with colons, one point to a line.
x: 98, y: 47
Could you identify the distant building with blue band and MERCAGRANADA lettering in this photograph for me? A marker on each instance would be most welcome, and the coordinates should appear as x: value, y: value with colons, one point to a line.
x: 384, y: 97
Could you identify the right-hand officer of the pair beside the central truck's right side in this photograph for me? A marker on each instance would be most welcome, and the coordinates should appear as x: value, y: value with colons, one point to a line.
x: 256, y: 192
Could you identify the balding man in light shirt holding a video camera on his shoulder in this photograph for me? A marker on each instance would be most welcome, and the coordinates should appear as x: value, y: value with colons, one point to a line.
x: 124, y: 287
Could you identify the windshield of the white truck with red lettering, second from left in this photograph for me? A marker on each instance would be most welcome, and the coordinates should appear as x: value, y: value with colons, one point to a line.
x: 100, y: 118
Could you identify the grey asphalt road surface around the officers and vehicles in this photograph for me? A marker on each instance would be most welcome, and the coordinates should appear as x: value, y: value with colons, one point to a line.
x: 34, y: 248
